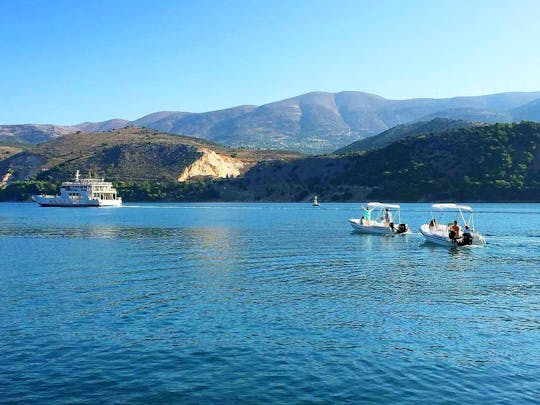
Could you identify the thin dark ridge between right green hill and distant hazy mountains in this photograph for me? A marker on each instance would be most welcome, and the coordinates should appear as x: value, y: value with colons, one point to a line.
x: 402, y: 131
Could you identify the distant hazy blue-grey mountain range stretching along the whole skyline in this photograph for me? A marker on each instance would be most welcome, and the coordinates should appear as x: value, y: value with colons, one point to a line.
x: 316, y: 122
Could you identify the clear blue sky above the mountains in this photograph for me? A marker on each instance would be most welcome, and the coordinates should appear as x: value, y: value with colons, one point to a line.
x: 70, y: 61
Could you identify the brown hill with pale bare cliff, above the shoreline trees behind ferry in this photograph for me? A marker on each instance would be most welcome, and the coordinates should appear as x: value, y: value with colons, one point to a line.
x: 131, y: 154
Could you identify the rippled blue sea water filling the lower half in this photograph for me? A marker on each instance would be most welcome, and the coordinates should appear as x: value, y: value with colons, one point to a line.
x: 264, y: 303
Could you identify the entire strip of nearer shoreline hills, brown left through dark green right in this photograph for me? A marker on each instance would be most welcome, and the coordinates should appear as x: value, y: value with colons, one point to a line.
x: 499, y: 162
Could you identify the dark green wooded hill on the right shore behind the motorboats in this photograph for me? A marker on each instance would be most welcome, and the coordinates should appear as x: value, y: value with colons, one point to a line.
x: 498, y: 162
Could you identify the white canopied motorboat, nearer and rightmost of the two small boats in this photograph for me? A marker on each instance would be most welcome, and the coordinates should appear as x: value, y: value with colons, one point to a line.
x: 436, y: 231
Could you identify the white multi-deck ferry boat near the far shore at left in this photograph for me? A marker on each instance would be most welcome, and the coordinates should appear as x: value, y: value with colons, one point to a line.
x: 89, y: 192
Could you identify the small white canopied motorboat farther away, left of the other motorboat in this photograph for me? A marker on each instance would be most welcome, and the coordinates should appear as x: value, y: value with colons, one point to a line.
x: 380, y: 219
